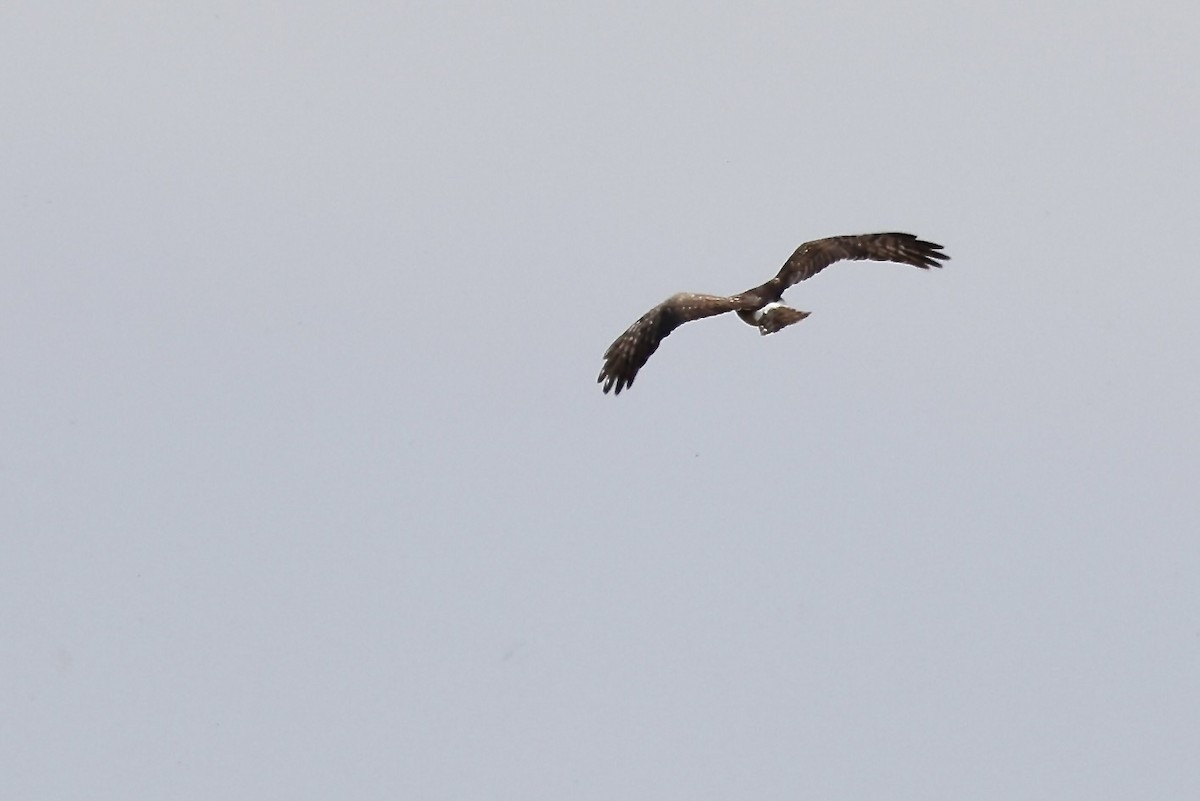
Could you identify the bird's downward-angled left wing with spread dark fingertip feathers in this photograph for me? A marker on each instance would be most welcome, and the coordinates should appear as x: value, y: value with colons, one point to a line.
x: 632, y: 350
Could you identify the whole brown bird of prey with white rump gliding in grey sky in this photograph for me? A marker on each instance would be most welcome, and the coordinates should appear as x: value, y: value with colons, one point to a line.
x: 761, y: 306
